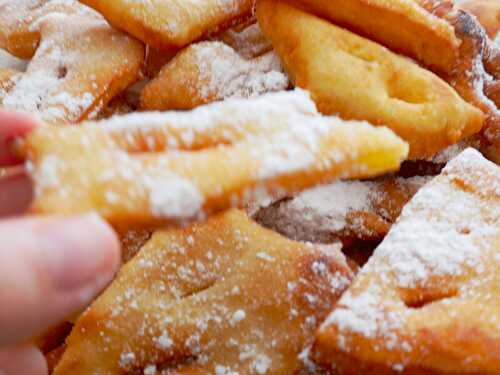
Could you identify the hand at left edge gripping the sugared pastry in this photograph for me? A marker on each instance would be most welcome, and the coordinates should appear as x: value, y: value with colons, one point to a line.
x: 50, y: 267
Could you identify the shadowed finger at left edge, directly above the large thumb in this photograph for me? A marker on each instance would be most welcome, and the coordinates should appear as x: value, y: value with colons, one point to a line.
x: 16, y: 192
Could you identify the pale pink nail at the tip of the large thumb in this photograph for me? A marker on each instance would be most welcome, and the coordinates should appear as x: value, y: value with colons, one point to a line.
x: 81, y: 253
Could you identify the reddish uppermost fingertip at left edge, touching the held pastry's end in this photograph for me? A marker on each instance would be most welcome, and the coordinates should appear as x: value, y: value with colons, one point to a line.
x: 12, y: 125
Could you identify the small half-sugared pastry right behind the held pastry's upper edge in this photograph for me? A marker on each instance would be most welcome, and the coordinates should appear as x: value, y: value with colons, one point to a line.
x: 211, y: 71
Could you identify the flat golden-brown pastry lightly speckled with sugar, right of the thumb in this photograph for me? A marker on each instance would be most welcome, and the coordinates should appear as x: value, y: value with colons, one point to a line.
x: 222, y: 297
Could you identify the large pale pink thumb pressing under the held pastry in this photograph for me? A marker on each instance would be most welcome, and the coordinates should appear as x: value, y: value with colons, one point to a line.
x: 49, y: 269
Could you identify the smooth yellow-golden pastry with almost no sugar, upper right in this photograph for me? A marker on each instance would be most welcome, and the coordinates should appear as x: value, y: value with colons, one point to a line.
x: 359, y: 79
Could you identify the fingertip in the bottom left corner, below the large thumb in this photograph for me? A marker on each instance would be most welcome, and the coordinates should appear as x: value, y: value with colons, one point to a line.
x: 22, y: 360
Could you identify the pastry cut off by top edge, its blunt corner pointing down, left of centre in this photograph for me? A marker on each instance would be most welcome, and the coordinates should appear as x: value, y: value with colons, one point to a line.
x: 164, y: 24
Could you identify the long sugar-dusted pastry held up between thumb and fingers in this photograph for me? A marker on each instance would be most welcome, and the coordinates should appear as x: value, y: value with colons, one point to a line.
x: 176, y: 166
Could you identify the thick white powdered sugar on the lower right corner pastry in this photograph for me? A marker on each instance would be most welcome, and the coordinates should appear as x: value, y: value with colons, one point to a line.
x: 445, y: 233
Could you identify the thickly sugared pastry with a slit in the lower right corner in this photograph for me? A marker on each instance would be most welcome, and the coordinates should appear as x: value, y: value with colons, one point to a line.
x: 427, y: 302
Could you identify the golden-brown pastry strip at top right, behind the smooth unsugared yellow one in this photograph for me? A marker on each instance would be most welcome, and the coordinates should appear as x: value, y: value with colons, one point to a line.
x: 401, y: 25
